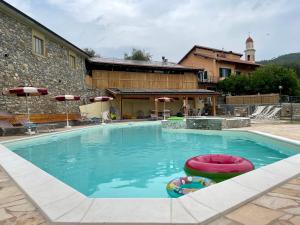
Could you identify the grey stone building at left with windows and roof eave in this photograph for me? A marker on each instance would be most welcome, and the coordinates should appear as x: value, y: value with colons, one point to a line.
x: 31, y: 54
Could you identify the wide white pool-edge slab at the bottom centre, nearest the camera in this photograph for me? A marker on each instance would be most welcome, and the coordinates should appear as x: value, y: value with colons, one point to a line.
x: 129, y: 211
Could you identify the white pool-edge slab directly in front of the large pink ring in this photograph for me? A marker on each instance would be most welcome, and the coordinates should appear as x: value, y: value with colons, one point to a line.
x: 224, y: 196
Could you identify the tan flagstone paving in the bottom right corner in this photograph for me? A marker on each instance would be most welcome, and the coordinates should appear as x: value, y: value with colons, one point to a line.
x: 281, y: 206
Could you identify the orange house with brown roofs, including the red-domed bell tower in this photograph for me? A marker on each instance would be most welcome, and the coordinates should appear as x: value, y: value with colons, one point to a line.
x: 218, y: 64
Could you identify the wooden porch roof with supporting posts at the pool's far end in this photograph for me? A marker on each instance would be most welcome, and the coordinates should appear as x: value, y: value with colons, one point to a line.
x: 120, y: 94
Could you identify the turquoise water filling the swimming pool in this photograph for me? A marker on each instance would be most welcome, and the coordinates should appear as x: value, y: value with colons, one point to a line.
x: 136, y: 161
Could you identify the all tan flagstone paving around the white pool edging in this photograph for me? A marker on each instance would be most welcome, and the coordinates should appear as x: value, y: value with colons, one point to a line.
x: 281, y: 206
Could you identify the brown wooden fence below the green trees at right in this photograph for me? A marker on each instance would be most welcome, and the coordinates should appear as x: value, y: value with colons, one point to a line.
x: 253, y: 99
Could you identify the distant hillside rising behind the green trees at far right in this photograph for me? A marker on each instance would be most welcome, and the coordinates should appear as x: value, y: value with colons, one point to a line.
x: 291, y: 60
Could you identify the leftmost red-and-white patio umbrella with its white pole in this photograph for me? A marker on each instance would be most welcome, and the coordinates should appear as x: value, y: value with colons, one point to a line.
x: 25, y: 92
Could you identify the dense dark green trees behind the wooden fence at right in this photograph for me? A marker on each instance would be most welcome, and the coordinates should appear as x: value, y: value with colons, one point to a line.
x: 264, y: 80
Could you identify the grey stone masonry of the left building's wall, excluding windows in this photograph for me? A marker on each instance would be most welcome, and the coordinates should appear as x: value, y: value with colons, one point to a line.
x: 19, y: 66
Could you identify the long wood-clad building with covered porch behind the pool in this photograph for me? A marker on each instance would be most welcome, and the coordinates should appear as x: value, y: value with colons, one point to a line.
x: 136, y: 84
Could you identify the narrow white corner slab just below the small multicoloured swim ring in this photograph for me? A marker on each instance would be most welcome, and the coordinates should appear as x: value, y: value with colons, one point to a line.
x: 199, y: 211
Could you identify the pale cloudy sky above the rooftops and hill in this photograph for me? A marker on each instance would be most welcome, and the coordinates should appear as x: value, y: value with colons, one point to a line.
x: 171, y: 28
